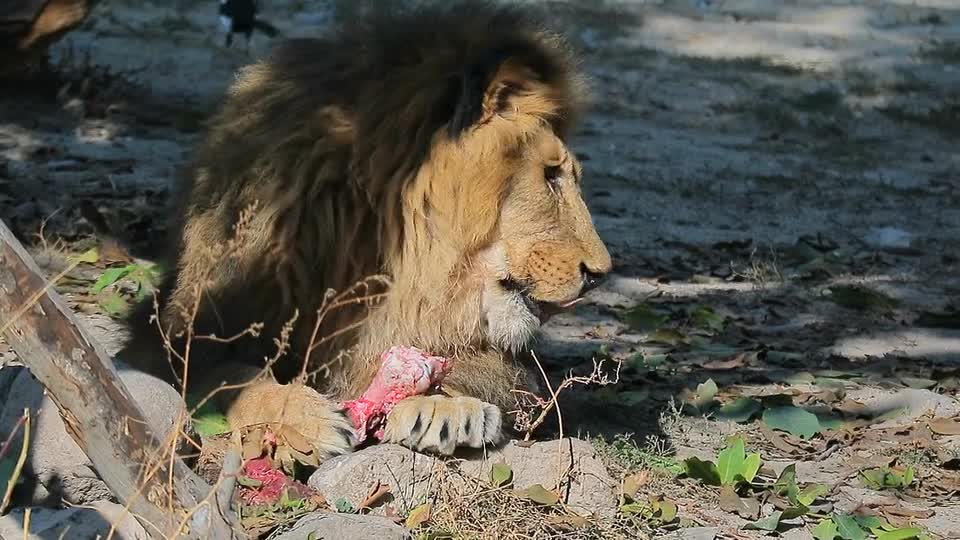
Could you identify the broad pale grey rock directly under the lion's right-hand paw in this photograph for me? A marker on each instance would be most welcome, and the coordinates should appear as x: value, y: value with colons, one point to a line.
x: 411, y: 475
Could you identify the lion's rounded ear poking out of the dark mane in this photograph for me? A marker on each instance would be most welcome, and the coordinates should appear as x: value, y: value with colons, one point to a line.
x: 486, y: 88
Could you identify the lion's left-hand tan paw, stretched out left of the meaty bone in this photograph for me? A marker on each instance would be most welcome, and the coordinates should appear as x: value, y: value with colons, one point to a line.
x: 321, y: 421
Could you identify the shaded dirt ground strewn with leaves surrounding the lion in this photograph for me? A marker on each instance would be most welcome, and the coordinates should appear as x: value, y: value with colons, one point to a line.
x: 778, y: 183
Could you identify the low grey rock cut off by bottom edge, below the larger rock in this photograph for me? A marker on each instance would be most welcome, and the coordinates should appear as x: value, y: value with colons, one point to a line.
x: 330, y: 526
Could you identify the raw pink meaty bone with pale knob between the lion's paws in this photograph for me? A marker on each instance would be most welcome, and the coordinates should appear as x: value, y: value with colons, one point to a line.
x: 404, y: 372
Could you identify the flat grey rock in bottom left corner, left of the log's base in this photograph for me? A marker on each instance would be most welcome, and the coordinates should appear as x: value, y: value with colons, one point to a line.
x: 88, y: 523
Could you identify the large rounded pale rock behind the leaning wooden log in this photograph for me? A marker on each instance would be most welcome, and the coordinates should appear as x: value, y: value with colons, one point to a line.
x: 61, y: 469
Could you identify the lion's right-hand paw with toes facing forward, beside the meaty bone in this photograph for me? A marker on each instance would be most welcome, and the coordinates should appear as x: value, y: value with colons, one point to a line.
x: 441, y: 423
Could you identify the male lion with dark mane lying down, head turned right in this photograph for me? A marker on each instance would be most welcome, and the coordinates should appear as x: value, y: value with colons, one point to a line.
x: 426, y: 145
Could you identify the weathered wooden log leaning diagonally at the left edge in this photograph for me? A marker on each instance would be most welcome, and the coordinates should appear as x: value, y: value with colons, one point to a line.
x: 98, y: 411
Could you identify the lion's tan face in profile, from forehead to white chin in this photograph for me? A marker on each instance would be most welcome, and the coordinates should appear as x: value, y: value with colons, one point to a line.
x: 547, y: 253
